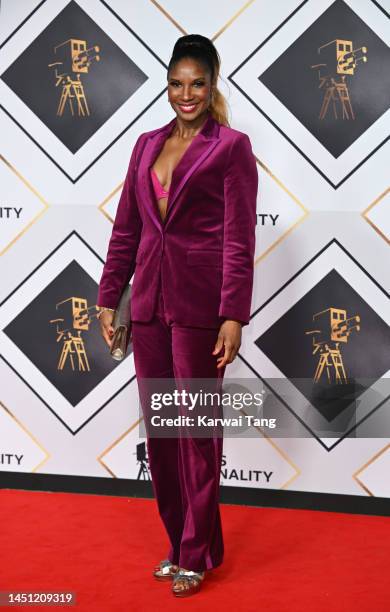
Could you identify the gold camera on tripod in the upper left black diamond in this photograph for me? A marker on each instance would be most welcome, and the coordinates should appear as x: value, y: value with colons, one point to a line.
x: 73, y: 58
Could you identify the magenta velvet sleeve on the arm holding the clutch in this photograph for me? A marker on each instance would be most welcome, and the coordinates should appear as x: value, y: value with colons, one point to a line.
x: 123, y: 245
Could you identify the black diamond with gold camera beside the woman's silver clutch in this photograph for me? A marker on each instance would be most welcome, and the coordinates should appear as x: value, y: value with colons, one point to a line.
x: 58, y: 331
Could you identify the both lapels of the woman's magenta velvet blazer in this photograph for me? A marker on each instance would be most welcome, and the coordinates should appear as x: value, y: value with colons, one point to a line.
x: 198, y: 150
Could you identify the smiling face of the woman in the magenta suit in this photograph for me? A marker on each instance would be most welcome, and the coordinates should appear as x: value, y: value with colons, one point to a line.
x: 189, y: 89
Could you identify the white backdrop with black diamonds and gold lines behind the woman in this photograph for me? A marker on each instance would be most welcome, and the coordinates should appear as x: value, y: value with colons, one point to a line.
x: 322, y: 234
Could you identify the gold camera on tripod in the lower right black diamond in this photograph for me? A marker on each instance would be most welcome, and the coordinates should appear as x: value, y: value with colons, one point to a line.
x: 333, y: 328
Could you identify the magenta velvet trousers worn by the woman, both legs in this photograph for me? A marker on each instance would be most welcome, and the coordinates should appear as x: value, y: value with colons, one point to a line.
x: 185, y: 470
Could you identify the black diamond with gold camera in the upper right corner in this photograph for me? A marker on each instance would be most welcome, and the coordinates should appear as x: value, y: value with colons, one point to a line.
x: 350, y: 62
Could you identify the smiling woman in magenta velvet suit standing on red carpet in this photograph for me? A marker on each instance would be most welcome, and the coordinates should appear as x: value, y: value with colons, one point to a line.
x: 186, y: 225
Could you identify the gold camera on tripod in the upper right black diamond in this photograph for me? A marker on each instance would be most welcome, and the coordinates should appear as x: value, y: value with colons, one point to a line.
x: 339, y: 60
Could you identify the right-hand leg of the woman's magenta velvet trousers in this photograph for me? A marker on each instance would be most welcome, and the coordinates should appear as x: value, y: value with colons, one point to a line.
x: 200, y: 458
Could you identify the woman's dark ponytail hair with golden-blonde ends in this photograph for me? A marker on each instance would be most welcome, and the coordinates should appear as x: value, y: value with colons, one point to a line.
x: 202, y: 49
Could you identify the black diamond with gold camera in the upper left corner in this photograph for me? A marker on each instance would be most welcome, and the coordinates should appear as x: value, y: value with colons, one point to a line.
x: 74, y: 77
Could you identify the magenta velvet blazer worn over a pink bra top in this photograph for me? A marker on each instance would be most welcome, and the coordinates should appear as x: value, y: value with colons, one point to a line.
x: 205, y: 248
